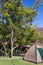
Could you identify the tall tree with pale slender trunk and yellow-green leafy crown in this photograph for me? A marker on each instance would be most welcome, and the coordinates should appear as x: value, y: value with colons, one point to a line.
x: 17, y: 16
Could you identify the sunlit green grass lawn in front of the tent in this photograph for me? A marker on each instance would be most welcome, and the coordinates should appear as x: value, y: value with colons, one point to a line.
x: 18, y: 61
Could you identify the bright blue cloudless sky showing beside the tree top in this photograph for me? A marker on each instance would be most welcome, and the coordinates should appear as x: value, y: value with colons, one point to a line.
x: 39, y: 20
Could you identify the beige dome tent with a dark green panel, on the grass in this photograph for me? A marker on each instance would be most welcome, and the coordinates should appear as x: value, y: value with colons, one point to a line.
x: 35, y: 53
